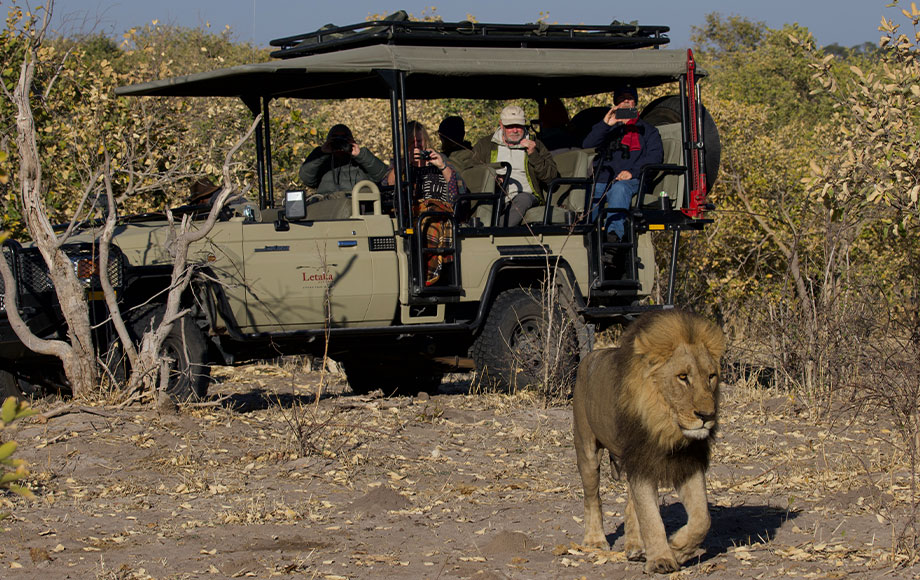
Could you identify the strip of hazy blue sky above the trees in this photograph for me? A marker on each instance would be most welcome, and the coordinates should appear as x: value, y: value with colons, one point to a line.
x: 845, y: 22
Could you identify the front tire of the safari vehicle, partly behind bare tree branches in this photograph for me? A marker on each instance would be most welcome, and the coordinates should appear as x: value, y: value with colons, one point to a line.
x: 186, y: 347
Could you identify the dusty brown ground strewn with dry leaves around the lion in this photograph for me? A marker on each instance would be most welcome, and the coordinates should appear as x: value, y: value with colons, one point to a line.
x: 460, y: 485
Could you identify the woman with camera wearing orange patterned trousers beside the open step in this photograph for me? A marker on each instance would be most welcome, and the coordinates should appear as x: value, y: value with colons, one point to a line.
x: 435, y: 187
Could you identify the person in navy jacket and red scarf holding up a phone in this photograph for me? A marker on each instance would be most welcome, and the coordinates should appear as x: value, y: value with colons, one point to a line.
x: 625, y: 145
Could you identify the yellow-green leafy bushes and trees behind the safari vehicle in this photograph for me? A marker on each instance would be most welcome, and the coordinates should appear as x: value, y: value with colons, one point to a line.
x: 810, y: 264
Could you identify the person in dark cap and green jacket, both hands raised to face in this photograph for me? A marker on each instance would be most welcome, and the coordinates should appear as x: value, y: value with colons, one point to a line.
x: 339, y: 163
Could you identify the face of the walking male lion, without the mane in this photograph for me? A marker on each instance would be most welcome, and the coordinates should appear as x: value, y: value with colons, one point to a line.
x: 689, y: 383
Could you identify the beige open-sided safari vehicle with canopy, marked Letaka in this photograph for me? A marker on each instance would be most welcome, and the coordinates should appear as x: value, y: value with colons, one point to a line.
x: 282, y: 275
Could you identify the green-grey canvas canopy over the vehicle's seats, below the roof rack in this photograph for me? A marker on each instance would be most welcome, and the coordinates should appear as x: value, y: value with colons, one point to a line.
x: 431, y: 72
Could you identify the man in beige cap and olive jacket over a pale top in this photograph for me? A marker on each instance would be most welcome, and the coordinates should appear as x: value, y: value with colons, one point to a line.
x: 532, y: 165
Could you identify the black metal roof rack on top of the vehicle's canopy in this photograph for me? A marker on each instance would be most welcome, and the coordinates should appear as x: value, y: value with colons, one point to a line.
x: 395, y: 29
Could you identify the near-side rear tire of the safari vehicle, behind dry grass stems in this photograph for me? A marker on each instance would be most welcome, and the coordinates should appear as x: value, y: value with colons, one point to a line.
x: 513, y: 350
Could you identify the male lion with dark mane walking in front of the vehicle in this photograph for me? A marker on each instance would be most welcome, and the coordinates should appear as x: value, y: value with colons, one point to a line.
x: 652, y: 403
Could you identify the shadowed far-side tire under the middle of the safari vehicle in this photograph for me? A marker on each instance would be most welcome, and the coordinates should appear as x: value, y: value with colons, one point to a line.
x: 393, y: 377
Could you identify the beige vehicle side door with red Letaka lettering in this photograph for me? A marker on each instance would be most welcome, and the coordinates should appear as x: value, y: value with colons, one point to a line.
x: 340, y: 272
